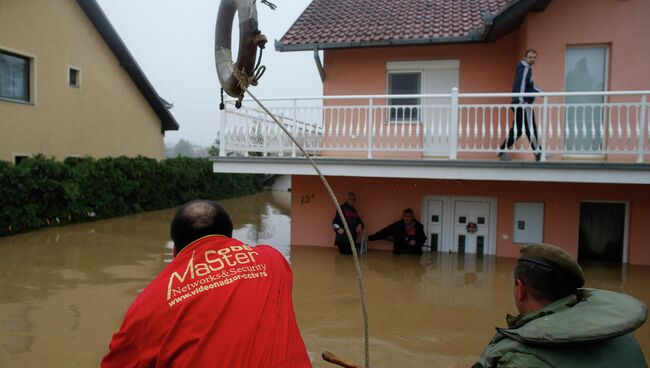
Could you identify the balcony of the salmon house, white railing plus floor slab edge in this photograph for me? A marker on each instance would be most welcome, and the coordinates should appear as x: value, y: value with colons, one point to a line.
x: 592, y: 137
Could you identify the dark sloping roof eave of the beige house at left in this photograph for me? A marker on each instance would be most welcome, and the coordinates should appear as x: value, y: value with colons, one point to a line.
x: 127, y: 61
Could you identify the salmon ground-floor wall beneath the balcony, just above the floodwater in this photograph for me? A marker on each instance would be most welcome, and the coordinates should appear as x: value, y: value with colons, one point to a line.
x: 381, y: 200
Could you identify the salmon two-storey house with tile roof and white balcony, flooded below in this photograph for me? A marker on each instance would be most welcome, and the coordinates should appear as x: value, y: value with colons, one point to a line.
x: 417, y: 102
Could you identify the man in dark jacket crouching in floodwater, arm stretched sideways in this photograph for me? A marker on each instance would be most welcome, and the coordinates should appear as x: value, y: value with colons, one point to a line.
x: 407, y: 233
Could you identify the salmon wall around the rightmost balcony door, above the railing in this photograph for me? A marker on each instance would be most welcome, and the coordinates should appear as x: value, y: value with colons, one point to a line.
x: 614, y: 23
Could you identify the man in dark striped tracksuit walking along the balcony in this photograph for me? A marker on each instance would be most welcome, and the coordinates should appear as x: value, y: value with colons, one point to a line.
x: 524, y: 117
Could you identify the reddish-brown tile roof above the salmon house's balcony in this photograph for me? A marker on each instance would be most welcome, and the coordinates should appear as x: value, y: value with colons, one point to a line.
x: 374, y: 21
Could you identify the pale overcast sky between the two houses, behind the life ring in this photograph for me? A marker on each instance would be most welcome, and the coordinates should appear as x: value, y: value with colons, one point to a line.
x: 173, y: 42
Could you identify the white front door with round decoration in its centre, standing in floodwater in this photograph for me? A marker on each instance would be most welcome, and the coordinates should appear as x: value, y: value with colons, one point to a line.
x: 471, y: 227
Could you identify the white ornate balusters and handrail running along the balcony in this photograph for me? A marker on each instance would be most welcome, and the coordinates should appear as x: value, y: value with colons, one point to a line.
x: 609, y: 126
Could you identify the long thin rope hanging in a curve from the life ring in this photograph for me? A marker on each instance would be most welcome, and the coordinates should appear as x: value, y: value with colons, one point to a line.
x: 355, y: 256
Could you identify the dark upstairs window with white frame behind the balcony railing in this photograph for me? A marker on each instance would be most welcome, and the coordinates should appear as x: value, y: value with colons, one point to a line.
x: 404, y: 83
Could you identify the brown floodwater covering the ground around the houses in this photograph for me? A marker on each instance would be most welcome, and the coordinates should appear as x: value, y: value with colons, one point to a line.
x: 64, y: 291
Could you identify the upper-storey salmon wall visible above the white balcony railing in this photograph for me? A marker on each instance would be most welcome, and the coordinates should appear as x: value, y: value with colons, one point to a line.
x: 489, y: 67
